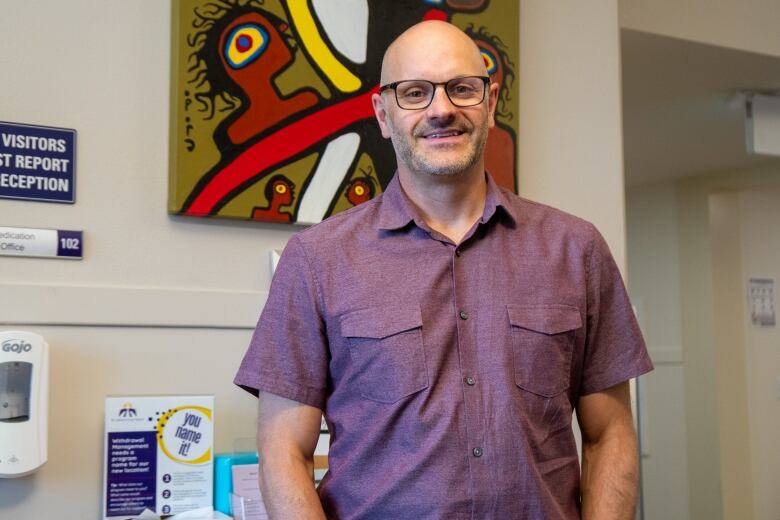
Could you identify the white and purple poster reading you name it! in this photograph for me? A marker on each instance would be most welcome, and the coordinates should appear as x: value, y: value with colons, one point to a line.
x: 159, y: 455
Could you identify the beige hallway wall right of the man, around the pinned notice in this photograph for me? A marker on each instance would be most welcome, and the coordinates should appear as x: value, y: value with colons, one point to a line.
x: 719, y: 230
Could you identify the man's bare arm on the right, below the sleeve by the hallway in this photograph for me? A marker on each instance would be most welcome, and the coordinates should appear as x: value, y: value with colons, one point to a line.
x: 609, y: 455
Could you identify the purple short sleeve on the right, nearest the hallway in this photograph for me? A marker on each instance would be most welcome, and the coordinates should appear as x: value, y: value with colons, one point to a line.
x: 614, y: 348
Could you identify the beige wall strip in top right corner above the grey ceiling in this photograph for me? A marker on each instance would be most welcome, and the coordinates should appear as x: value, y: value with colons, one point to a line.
x: 749, y: 25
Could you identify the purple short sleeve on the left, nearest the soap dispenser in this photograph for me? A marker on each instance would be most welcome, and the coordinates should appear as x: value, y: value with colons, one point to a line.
x: 288, y: 354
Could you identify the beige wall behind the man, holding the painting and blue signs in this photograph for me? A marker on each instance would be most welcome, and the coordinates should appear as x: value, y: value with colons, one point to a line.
x: 166, y: 305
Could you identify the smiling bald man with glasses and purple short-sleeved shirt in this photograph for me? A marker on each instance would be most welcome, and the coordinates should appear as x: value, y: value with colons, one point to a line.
x: 447, y: 329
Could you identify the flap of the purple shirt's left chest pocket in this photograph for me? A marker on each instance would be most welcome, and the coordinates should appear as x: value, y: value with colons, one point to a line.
x: 379, y: 322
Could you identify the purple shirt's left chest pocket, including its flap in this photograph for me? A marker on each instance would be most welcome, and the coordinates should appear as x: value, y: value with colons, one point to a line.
x: 386, y: 350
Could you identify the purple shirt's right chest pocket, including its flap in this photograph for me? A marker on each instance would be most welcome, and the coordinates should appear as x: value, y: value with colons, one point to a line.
x: 543, y: 339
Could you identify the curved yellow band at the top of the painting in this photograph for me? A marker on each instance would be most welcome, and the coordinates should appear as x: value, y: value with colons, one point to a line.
x: 338, y: 74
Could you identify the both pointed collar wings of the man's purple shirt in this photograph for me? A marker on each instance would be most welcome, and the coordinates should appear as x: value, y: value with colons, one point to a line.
x: 397, y: 211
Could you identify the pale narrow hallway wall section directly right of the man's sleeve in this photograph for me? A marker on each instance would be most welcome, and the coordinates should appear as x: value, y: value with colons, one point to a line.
x: 653, y: 261
